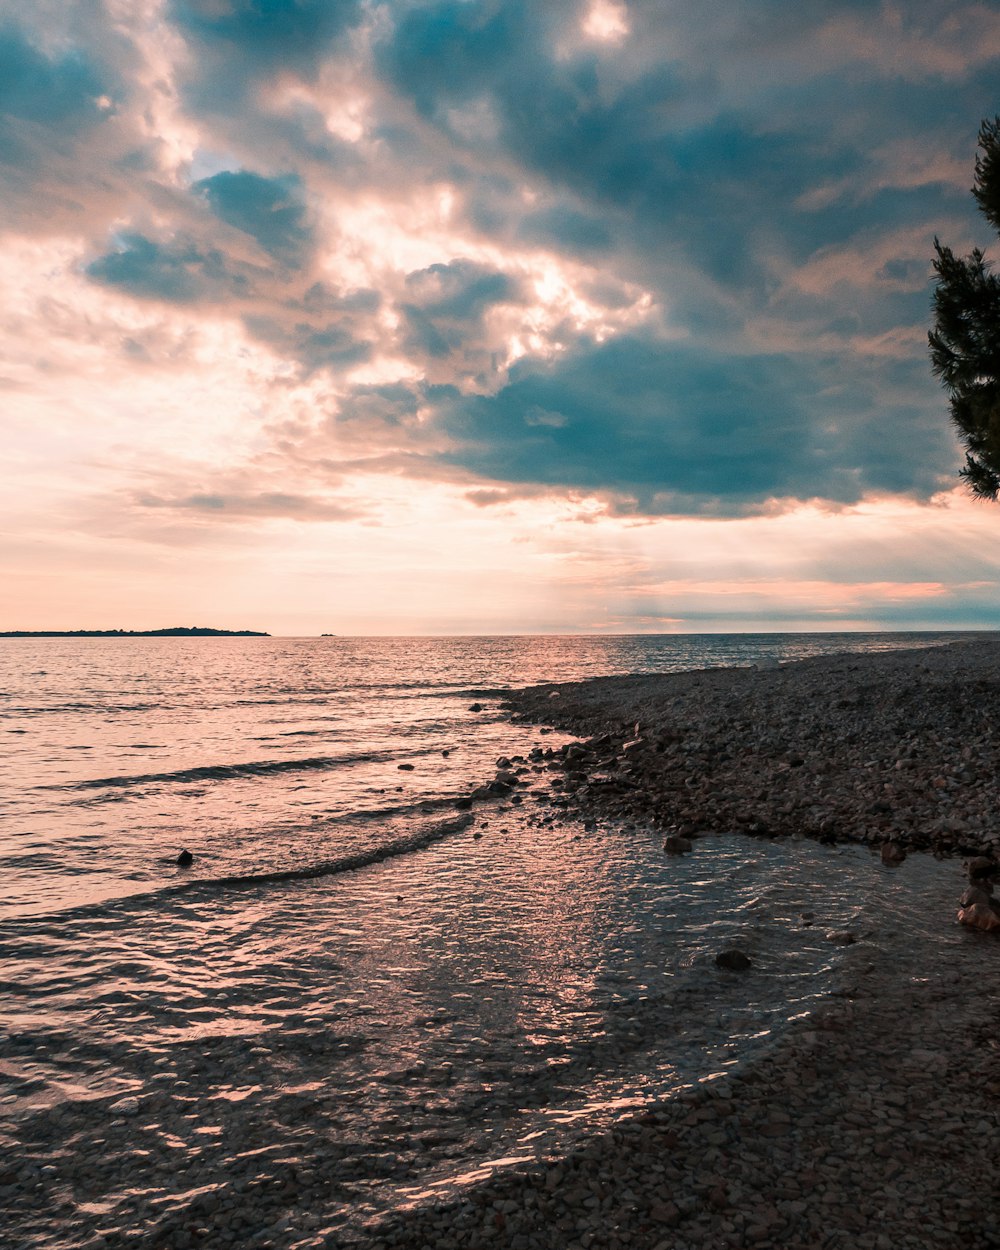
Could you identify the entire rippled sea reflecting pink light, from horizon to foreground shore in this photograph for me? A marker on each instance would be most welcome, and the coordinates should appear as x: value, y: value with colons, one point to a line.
x: 353, y: 973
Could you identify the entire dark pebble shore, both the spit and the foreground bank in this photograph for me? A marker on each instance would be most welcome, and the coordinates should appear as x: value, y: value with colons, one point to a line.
x: 874, y: 1124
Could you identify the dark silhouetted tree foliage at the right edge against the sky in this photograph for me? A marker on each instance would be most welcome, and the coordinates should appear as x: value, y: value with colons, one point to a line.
x: 966, y: 339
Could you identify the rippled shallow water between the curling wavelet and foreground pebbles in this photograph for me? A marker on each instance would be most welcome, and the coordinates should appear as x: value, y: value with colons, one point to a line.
x: 389, y: 1036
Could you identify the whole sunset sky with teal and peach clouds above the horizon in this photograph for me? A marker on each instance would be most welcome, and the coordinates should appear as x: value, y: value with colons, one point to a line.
x: 373, y: 317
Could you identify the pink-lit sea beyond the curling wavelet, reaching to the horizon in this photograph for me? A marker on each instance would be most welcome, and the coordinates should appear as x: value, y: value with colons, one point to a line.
x: 119, y: 753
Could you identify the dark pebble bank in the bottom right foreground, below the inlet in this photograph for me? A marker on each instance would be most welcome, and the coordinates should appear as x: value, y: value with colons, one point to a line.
x: 873, y: 1127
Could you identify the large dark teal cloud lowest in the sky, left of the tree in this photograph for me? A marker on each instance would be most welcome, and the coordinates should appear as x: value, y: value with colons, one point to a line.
x: 668, y: 428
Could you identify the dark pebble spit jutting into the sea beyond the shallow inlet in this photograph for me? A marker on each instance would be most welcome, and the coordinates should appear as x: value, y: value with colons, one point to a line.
x: 899, y: 751
